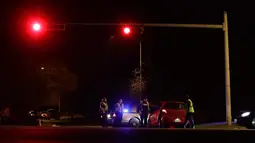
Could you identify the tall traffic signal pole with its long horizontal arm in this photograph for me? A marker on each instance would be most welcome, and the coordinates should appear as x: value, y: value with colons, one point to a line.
x: 223, y: 26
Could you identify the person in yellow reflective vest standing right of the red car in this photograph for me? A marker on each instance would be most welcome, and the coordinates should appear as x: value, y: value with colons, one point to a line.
x: 189, y: 113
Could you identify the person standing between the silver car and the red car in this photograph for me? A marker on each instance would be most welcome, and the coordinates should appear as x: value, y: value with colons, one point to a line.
x: 144, y: 112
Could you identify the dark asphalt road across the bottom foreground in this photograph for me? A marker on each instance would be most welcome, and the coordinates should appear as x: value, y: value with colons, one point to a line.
x: 81, y: 134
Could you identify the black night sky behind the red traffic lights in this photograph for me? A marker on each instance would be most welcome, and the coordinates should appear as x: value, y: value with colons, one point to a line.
x: 178, y: 60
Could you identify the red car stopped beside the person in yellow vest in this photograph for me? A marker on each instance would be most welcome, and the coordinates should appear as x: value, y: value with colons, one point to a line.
x: 169, y: 113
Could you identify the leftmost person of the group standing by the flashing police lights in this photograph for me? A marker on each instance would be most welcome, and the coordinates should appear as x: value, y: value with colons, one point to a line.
x: 103, y: 109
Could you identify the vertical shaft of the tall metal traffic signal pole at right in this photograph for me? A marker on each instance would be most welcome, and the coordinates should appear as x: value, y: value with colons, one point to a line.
x: 227, y: 71
